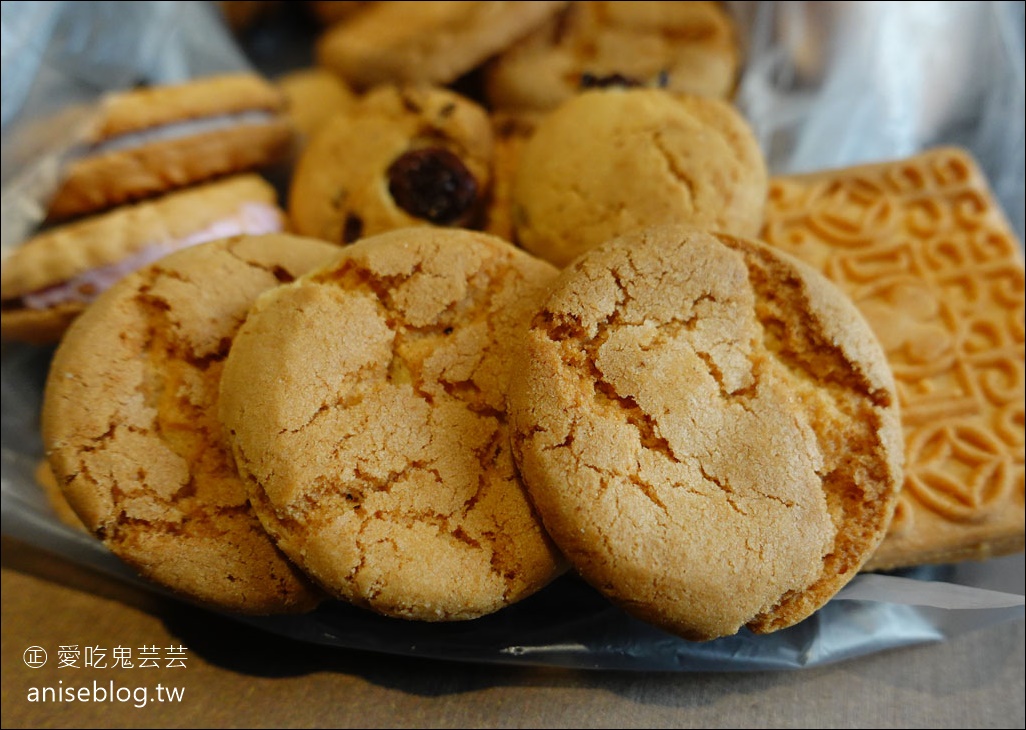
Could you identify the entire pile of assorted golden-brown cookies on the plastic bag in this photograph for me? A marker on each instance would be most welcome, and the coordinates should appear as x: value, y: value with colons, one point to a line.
x: 566, y: 321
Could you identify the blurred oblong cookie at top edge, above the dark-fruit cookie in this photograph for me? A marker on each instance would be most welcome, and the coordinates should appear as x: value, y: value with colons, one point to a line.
x: 424, y: 43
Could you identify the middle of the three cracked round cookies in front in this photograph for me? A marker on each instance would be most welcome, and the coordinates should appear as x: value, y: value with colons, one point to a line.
x: 366, y: 409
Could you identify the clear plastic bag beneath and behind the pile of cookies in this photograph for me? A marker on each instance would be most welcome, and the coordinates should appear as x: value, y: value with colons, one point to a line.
x: 824, y: 86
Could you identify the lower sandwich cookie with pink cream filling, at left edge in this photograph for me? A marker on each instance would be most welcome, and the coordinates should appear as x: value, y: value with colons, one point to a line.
x: 52, y: 278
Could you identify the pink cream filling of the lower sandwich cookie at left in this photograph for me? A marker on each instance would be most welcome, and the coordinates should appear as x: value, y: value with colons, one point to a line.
x: 252, y: 219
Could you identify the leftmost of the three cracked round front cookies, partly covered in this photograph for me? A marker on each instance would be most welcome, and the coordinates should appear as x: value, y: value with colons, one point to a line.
x: 131, y: 431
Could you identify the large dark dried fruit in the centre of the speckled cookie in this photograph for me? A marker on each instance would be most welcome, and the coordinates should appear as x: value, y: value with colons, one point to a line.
x: 432, y: 184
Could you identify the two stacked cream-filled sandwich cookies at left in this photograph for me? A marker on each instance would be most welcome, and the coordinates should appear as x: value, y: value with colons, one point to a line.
x: 159, y: 169
